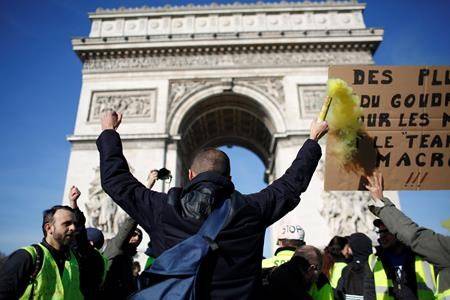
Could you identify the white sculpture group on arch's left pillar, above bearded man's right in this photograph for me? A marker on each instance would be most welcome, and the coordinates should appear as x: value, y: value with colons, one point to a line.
x: 102, y: 212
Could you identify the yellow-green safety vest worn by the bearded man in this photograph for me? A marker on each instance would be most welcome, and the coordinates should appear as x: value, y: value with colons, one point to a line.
x: 49, y: 284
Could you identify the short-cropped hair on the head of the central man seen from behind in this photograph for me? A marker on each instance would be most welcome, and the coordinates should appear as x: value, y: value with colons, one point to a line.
x: 211, y: 159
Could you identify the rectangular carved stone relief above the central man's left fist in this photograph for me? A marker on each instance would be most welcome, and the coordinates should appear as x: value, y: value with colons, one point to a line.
x: 138, y: 104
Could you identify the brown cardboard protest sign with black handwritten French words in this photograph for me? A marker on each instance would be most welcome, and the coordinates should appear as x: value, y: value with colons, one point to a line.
x: 406, y: 115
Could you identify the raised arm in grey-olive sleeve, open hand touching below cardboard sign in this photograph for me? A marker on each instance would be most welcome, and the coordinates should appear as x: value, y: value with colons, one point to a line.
x: 434, y: 247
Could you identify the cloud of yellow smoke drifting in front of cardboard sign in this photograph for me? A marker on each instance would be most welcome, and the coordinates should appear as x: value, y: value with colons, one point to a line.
x: 344, y: 120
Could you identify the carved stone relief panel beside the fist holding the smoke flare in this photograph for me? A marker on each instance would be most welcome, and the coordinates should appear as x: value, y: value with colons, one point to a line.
x: 311, y: 99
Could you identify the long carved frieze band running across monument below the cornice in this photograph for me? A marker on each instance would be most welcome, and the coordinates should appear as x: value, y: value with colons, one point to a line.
x: 221, y: 60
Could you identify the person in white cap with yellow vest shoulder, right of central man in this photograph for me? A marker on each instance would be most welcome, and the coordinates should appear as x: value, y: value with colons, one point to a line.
x: 292, y: 236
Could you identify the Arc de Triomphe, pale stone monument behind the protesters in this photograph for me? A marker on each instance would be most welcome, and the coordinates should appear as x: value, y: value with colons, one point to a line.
x: 187, y: 77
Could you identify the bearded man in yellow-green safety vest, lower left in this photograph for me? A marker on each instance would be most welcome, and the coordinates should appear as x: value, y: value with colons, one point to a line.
x: 48, y: 270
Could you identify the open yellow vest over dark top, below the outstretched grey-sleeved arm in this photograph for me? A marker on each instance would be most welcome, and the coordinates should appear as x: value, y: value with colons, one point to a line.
x: 426, y: 282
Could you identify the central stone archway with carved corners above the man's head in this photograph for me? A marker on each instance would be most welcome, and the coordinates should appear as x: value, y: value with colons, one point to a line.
x: 224, y: 112
